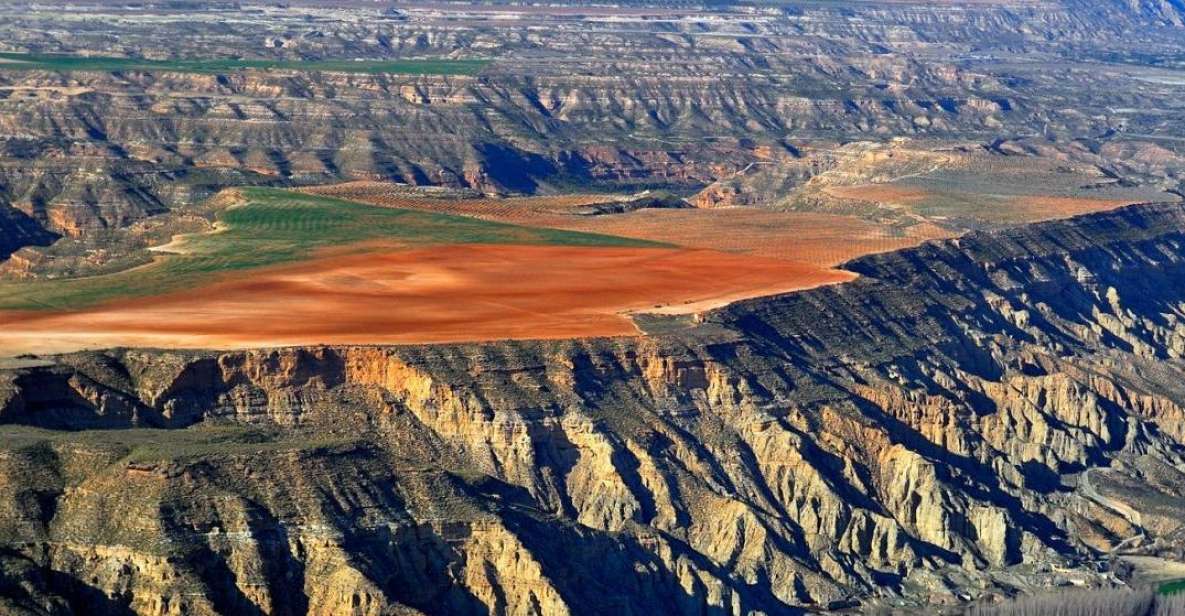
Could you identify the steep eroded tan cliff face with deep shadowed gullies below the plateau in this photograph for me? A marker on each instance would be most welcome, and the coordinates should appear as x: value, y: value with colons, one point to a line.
x: 991, y: 414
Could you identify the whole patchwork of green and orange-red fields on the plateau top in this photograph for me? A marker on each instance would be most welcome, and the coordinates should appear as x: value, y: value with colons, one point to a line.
x: 285, y: 268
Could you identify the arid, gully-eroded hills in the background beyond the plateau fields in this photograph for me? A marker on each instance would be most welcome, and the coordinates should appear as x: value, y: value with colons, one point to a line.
x: 675, y: 97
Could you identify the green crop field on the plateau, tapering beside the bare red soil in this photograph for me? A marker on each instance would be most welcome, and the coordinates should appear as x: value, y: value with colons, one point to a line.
x: 278, y: 227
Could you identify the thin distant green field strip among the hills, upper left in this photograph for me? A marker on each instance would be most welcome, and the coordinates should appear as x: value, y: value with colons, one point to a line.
x: 54, y: 62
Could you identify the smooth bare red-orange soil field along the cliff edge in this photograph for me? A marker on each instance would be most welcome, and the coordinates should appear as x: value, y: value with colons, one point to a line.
x: 441, y: 294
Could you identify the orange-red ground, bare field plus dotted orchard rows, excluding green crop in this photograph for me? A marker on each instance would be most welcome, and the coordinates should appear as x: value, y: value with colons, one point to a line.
x: 390, y: 294
